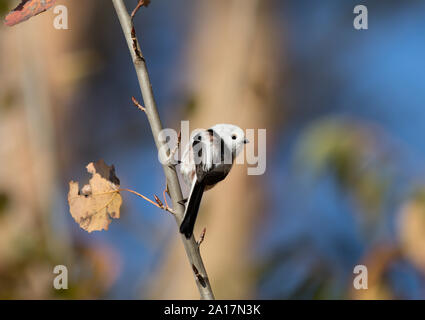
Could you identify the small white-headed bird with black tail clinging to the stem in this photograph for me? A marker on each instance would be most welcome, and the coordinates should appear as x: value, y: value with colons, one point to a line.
x: 207, y: 160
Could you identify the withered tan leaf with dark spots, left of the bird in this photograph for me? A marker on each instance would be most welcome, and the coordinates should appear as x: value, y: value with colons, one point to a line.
x: 98, y: 201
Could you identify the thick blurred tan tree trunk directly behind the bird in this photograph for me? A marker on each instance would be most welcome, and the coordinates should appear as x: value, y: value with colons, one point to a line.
x: 242, y: 88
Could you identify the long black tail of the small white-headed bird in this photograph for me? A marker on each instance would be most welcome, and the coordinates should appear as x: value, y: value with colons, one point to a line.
x: 192, y: 208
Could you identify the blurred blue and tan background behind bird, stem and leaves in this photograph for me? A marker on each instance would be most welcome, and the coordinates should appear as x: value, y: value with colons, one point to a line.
x: 345, y: 178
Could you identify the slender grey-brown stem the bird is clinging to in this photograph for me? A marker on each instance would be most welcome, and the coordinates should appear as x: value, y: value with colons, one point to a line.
x: 191, y: 247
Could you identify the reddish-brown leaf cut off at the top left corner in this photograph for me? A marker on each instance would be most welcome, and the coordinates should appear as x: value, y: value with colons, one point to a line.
x: 27, y: 9
